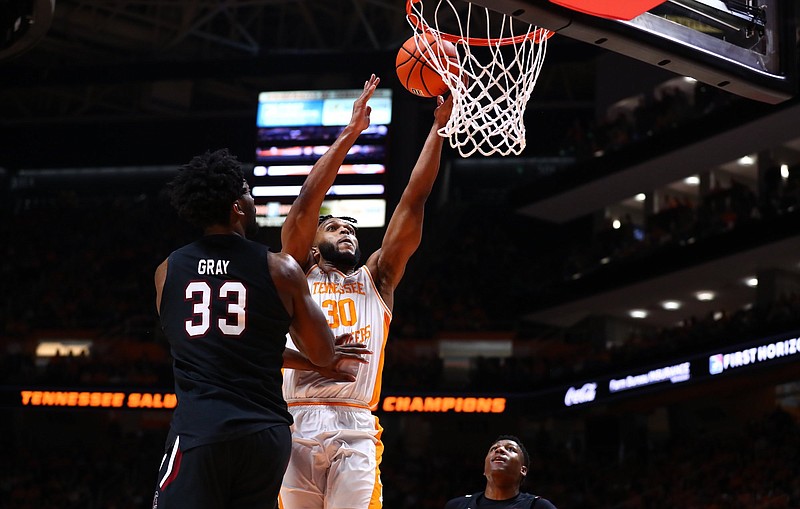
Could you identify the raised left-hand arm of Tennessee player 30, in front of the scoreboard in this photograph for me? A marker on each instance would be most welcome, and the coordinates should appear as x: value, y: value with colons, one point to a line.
x: 297, y: 233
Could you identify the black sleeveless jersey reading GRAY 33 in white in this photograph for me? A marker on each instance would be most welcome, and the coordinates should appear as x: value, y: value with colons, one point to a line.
x: 227, y: 330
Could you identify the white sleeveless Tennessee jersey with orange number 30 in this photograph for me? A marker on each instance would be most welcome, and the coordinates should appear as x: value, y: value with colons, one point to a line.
x: 352, y: 305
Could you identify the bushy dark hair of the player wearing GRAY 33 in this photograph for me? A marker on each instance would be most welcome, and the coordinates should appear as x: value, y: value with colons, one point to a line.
x: 204, y: 189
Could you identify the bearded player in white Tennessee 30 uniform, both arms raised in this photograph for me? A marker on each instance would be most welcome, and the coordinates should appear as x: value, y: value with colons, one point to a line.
x: 336, y: 441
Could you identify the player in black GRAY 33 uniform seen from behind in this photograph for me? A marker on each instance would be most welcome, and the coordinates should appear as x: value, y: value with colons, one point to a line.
x: 226, y: 304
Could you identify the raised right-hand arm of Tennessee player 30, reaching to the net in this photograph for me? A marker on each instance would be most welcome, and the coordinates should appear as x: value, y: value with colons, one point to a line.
x: 404, y: 232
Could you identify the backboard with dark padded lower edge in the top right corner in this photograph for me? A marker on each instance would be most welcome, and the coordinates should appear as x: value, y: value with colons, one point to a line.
x: 746, y: 47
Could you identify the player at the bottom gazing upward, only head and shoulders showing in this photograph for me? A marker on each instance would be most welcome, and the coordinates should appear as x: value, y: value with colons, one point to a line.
x: 505, y: 468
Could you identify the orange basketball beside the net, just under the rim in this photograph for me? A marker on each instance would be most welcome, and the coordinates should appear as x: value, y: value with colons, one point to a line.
x: 417, y: 75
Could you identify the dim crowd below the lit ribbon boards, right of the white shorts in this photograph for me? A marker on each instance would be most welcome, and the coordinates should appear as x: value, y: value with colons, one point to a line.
x: 754, y: 466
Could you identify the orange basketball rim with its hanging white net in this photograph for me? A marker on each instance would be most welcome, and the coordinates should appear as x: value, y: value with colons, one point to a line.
x: 499, y: 61
